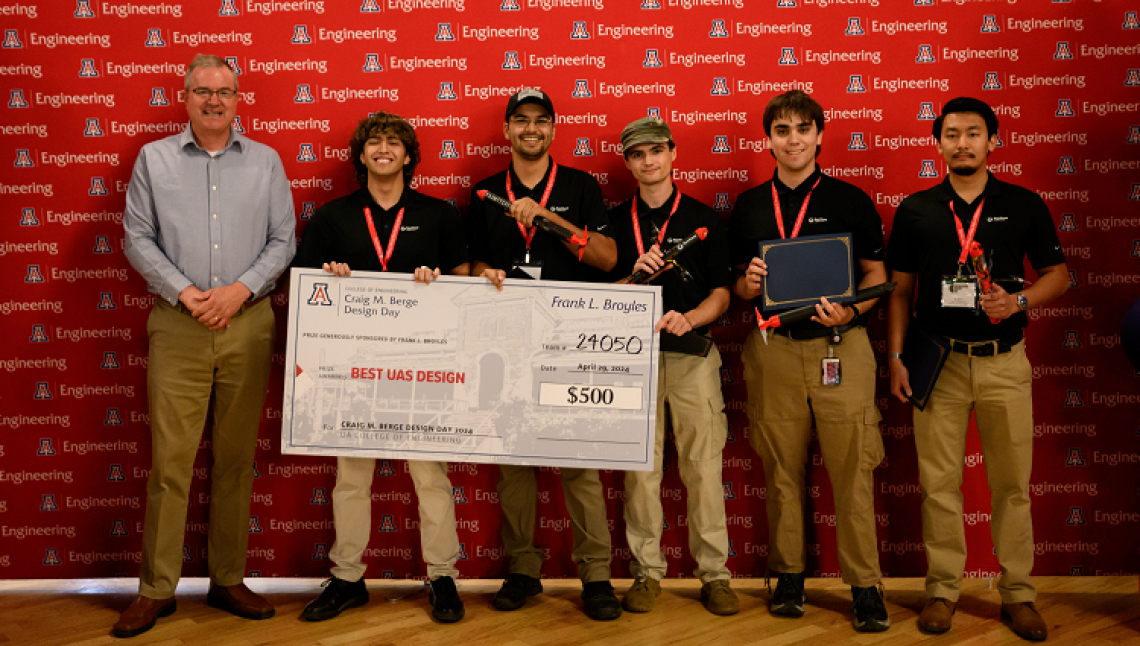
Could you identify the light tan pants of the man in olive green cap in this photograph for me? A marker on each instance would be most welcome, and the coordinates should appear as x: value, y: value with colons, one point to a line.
x: 690, y: 389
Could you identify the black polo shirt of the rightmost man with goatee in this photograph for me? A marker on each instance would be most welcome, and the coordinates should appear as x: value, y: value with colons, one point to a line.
x: 1015, y: 224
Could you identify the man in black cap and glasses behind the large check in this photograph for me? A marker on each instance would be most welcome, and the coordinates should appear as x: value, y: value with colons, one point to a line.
x: 501, y: 243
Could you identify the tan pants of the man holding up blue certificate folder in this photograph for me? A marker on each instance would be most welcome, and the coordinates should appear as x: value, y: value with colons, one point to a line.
x: 785, y: 394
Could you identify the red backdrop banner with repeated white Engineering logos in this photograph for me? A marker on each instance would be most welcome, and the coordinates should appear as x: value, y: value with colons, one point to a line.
x: 87, y: 84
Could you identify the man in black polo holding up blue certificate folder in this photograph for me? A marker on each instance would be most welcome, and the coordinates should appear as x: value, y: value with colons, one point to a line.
x: 784, y: 373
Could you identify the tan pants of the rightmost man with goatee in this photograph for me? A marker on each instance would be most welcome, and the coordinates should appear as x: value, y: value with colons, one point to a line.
x: 998, y: 389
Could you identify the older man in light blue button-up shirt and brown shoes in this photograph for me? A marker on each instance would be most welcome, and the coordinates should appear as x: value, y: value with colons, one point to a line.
x: 209, y: 224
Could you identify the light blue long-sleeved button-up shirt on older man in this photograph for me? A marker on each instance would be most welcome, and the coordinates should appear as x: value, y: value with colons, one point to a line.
x: 209, y: 220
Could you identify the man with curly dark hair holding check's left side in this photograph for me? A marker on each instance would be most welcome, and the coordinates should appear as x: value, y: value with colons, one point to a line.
x: 387, y: 227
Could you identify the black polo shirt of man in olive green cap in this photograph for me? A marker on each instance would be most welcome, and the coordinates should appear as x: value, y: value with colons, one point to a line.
x: 707, y: 261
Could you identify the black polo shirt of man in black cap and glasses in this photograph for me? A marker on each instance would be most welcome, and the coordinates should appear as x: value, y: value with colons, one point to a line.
x: 495, y: 236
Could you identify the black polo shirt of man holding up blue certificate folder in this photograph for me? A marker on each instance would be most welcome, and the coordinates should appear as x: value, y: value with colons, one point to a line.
x: 836, y: 208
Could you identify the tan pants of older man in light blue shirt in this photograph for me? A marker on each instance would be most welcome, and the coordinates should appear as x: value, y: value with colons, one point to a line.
x: 188, y: 365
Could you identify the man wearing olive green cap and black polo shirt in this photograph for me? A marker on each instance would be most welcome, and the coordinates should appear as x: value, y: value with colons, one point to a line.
x: 689, y: 385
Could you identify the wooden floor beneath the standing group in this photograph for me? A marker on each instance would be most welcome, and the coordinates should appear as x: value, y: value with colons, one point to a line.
x: 1078, y: 610
